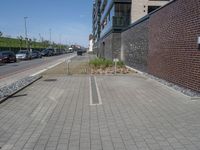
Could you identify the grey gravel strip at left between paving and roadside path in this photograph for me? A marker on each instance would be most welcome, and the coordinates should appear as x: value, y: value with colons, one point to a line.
x: 16, y: 86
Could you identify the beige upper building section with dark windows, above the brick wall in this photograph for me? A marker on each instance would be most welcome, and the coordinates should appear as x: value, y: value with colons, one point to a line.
x: 140, y: 8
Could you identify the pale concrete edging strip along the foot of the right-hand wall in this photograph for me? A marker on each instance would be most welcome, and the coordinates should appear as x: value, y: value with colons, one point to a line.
x: 170, y: 88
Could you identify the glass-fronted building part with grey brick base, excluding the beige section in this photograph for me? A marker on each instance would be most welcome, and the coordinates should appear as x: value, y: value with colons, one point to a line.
x: 115, y: 16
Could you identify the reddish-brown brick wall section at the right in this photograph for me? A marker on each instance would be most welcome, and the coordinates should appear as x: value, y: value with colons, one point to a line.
x: 173, y: 51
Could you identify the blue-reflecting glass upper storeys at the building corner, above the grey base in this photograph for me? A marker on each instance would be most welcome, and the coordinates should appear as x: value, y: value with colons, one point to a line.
x: 115, y: 15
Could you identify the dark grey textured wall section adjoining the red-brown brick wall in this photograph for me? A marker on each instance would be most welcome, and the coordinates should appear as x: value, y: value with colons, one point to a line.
x: 134, y: 45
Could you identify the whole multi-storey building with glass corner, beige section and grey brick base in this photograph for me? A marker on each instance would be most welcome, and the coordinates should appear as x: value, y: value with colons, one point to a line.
x: 111, y: 17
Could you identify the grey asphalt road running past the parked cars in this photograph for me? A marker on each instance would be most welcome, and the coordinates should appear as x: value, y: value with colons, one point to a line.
x: 13, y: 68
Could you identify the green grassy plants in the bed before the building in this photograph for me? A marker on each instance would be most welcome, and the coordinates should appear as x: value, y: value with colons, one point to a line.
x: 104, y: 63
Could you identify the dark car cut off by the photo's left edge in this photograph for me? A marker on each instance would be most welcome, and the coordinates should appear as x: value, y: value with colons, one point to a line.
x: 7, y: 57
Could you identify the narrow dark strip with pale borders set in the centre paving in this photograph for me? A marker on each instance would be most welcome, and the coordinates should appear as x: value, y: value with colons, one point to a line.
x: 95, y: 96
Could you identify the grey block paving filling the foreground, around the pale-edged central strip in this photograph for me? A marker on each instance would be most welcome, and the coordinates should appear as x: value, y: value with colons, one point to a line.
x: 136, y: 114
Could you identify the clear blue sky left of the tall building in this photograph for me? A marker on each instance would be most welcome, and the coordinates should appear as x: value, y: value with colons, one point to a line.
x: 69, y: 20
